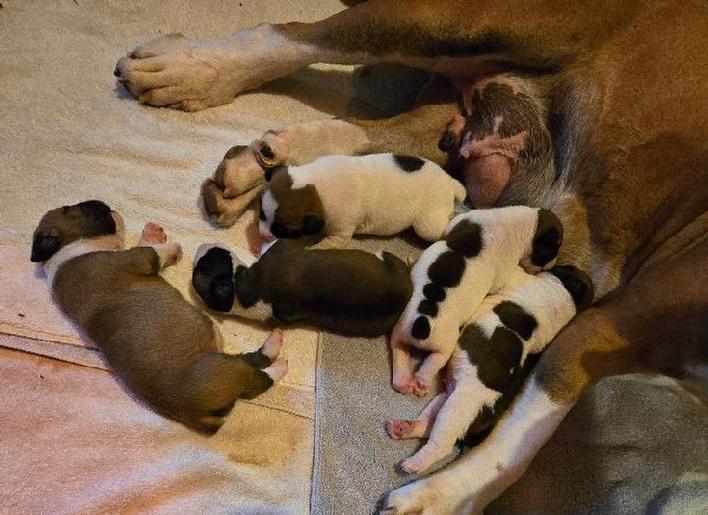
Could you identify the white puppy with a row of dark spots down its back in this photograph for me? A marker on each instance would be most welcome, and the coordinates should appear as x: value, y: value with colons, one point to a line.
x: 479, y: 255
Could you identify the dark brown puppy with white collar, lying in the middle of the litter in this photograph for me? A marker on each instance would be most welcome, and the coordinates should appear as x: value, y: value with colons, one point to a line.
x: 349, y: 292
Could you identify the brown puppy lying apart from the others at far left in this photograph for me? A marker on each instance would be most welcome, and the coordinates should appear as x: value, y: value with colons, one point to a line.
x: 164, y: 349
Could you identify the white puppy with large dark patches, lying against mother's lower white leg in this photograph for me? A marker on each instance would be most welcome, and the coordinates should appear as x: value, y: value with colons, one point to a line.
x: 493, y: 357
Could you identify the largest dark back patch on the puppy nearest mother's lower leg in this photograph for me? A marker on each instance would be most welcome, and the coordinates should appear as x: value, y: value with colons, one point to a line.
x: 495, y: 357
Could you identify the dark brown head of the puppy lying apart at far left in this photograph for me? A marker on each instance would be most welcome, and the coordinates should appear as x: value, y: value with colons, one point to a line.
x: 64, y: 225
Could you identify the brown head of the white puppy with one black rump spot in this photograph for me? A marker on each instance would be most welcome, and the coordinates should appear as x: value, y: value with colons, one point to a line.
x: 288, y: 212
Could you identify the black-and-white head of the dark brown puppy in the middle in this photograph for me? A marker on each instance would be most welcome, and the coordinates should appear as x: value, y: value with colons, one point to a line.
x: 215, y: 277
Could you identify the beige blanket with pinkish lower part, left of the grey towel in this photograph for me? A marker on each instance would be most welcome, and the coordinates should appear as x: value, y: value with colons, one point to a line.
x: 71, y: 440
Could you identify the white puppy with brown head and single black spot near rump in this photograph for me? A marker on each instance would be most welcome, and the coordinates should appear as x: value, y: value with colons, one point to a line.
x: 339, y: 196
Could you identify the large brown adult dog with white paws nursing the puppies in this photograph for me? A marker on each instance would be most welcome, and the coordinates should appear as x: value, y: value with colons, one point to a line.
x: 595, y: 110
